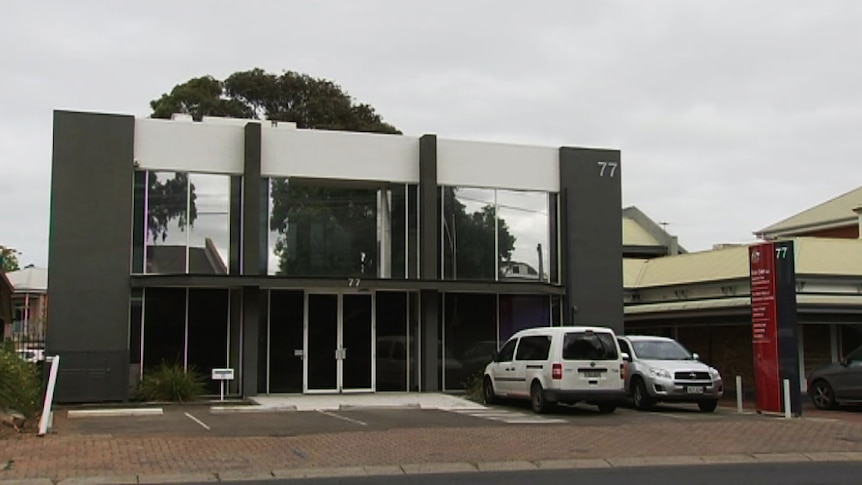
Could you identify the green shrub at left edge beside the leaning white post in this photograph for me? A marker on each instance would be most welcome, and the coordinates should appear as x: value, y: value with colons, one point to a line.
x: 20, y: 385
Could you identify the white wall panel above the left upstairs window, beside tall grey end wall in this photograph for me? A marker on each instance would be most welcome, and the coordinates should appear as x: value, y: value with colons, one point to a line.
x: 185, y: 146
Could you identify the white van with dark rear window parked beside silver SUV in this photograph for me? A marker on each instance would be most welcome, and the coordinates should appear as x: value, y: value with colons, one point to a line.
x: 551, y: 365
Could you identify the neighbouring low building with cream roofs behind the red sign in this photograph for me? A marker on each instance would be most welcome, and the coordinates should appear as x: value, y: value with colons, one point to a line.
x: 703, y: 298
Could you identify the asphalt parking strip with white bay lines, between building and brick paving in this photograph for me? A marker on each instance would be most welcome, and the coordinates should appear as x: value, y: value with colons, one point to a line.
x: 200, y: 421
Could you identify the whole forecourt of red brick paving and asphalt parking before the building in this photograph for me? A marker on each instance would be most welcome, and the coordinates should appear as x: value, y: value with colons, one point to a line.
x: 362, y: 440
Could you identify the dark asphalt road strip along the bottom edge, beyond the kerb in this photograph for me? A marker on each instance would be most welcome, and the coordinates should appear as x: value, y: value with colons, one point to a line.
x: 767, y: 474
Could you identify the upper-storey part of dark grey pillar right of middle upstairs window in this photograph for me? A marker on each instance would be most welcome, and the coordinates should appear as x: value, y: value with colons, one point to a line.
x: 429, y: 223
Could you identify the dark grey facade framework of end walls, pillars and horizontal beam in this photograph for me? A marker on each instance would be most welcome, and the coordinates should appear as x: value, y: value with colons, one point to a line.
x: 91, y: 253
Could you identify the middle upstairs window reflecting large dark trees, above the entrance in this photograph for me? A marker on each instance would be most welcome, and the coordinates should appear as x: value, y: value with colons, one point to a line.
x: 339, y: 228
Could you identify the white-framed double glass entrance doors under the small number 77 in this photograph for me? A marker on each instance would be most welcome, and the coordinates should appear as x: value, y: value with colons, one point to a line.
x: 339, y: 338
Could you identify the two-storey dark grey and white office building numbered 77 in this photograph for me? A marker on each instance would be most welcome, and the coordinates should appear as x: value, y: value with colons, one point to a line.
x: 315, y: 261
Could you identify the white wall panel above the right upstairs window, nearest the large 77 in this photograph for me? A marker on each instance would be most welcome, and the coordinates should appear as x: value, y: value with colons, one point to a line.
x: 479, y: 164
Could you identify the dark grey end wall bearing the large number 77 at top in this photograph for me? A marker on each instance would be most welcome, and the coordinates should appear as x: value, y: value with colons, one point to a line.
x: 591, y: 215
